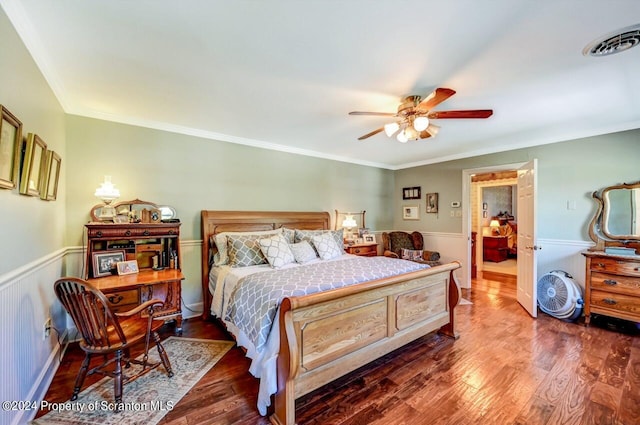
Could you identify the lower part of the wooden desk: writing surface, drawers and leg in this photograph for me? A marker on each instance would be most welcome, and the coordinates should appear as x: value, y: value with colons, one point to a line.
x: 127, y: 291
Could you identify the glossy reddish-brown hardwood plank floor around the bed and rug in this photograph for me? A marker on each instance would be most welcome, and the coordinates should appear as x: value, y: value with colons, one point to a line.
x: 506, y: 368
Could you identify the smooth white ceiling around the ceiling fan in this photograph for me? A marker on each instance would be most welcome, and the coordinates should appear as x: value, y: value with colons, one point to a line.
x: 284, y: 74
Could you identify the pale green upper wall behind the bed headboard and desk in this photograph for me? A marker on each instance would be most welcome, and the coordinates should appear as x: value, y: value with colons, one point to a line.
x: 192, y: 174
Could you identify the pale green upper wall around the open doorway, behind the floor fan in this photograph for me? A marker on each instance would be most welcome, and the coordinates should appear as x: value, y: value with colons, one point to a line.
x: 567, y: 171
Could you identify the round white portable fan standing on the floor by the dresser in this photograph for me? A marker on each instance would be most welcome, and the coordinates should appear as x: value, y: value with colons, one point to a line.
x: 560, y: 296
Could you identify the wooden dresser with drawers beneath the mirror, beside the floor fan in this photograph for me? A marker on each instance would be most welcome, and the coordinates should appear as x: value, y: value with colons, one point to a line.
x: 612, y: 285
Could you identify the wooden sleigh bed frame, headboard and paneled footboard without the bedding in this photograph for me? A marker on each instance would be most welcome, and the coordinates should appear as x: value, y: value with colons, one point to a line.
x: 326, y: 335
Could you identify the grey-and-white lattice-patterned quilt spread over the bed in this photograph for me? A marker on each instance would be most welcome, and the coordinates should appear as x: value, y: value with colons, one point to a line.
x: 254, y: 302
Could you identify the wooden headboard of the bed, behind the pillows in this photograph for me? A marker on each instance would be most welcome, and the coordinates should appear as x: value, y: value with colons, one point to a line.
x: 214, y: 222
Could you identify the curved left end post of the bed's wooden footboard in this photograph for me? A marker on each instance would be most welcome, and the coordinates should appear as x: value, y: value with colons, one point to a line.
x: 285, y: 398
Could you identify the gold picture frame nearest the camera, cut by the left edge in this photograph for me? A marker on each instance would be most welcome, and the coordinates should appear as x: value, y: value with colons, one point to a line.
x: 10, y: 149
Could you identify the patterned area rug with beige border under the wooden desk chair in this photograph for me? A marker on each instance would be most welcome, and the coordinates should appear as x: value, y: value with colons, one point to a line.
x: 148, y: 398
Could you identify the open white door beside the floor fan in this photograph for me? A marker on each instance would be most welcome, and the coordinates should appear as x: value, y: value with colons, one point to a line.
x: 527, y: 240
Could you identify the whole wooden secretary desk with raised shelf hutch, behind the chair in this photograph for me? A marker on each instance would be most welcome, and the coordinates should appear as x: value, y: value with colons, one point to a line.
x: 148, y: 244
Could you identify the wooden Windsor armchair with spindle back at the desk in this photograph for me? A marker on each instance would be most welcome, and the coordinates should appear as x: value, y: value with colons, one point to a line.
x: 107, y: 333
